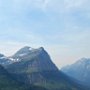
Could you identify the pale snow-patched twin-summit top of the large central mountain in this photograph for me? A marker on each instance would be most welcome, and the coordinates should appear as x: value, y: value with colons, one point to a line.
x: 27, y: 52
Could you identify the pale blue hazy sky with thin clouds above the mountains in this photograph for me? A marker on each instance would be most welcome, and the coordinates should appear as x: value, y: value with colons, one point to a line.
x: 62, y: 27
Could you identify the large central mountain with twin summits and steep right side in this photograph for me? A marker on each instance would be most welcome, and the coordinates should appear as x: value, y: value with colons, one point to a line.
x: 34, y: 66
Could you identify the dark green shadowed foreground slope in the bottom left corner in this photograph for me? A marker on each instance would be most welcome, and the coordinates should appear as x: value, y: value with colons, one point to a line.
x: 7, y: 82
